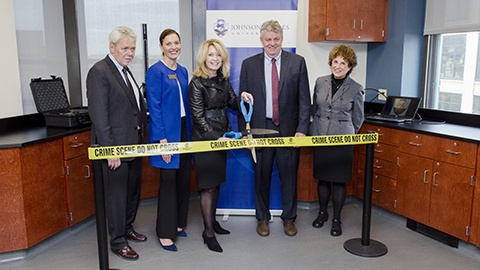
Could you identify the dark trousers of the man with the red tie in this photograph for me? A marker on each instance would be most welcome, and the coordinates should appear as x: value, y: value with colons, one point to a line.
x: 287, y: 159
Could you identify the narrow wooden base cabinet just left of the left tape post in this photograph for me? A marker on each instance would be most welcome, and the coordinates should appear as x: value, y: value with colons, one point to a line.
x: 78, y: 177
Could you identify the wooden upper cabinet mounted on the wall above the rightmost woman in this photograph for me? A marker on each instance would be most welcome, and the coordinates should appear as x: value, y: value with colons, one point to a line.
x: 348, y: 20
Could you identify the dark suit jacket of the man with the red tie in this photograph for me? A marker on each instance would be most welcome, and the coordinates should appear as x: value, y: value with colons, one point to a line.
x: 294, y: 94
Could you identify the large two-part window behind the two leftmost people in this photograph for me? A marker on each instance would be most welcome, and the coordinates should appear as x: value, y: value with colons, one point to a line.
x: 40, y: 36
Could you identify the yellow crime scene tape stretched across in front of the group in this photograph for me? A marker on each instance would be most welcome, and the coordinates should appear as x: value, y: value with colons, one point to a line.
x: 141, y: 150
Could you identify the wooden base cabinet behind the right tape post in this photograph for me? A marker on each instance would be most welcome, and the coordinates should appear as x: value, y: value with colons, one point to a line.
x: 385, y: 167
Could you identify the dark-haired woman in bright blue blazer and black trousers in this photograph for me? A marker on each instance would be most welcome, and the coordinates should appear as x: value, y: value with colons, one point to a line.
x: 167, y: 99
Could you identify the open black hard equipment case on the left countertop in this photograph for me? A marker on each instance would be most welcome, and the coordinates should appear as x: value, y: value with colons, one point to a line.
x: 51, y: 101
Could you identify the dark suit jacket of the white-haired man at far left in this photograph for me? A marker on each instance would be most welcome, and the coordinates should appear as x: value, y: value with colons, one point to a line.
x: 112, y: 106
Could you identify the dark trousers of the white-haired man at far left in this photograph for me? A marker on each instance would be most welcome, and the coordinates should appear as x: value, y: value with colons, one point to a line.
x: 122, y: 195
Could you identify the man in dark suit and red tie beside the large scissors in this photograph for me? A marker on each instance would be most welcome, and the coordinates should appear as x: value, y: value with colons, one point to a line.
x: 278, y: 80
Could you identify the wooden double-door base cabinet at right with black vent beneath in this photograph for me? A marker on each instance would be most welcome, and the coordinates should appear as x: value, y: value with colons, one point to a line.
x: 436, y: 177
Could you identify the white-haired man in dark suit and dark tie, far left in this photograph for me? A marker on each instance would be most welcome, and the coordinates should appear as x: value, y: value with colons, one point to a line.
x: 118, y: 114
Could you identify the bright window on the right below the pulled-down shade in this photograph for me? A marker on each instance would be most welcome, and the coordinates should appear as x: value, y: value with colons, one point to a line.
x: 453, y: 82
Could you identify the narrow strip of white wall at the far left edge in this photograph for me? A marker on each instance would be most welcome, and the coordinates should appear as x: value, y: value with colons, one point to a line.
x: 10, y: 93
